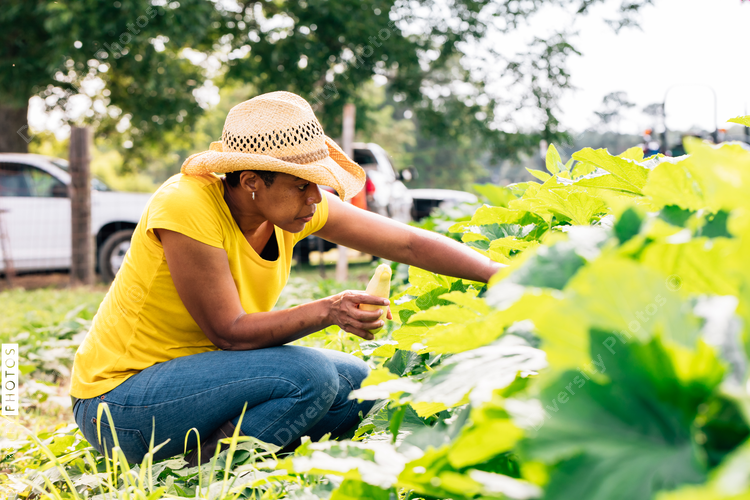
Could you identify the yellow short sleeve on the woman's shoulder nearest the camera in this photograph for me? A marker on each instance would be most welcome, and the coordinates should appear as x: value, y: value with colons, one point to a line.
x: 187, y: 206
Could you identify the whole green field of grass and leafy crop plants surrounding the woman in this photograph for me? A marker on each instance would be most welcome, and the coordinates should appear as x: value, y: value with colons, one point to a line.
x: 607, y: 360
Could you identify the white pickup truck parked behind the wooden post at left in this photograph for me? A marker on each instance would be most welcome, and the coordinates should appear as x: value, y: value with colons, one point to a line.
x: 35, y: 224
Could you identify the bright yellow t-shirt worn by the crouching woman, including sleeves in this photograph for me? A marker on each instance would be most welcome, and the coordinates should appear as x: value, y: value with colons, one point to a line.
x: 142, y: 320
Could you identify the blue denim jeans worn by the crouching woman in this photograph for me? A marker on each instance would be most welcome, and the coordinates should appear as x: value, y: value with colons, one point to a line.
x: 291, y: 391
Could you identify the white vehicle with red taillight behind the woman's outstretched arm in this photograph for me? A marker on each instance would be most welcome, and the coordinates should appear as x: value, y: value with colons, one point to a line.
x: 386, y: 193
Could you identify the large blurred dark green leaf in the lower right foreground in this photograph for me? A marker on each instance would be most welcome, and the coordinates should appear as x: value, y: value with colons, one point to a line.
x: 628, y: 437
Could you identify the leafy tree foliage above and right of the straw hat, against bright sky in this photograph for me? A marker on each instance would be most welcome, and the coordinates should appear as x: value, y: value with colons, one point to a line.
x: 326, y: 50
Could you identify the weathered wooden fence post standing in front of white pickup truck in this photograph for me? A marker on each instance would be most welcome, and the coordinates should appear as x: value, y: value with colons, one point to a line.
x: 82, y: 258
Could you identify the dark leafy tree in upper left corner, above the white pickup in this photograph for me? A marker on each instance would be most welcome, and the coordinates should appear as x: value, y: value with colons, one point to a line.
x: 123, y: 57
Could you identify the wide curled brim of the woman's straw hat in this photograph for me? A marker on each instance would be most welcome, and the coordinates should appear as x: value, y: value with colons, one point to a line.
x: 336, y: 170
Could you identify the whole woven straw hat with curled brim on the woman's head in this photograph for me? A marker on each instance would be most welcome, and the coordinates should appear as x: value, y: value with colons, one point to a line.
x: 279, y: 132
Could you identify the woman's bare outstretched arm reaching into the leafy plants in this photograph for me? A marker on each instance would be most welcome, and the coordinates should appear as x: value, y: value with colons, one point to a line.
x: 376, y: 235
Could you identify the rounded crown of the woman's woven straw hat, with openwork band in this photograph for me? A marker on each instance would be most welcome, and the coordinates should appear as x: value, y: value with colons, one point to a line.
x: 278, y: 124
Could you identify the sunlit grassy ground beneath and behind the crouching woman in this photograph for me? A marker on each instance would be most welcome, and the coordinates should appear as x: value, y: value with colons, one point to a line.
x: 43, y: 441
